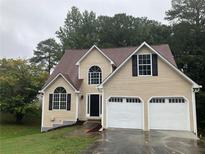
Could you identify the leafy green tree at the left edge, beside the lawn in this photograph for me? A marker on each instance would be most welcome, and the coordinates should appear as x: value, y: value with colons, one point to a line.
x: 19, y: 85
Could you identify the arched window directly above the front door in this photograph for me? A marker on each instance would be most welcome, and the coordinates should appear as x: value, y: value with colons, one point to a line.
x: 94, y: 75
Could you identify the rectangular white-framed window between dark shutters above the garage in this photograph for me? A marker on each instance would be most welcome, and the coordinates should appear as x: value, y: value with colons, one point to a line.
x: 145, y: 64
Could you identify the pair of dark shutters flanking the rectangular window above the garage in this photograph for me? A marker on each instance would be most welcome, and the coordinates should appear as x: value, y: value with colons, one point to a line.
x: 154, y: 65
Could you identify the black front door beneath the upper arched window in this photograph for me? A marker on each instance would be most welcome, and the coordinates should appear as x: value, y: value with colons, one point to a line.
x: 94, y: 105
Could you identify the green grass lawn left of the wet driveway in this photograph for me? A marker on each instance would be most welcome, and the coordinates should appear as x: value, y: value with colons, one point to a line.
x: 26, y: 138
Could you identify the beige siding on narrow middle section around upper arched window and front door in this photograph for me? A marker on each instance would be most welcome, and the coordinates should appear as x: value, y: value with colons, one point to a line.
x: 93, y: 58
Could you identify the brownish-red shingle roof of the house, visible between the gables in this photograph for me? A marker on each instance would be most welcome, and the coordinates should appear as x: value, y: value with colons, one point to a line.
x: 69, y: 70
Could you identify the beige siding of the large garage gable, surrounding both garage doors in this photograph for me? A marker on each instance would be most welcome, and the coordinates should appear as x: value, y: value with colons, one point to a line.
x: 167, y: 83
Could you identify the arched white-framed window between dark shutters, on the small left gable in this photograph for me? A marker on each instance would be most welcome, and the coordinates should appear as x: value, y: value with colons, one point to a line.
x: 59, y: 98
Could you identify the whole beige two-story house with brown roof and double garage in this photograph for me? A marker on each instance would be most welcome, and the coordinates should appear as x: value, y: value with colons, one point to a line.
x: 130, y: 87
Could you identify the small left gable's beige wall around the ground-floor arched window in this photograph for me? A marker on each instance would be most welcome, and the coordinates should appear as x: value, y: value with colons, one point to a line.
x: 50, y: 116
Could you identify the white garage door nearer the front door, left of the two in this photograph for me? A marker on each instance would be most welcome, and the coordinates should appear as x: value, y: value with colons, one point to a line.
x: 125, y: 113
